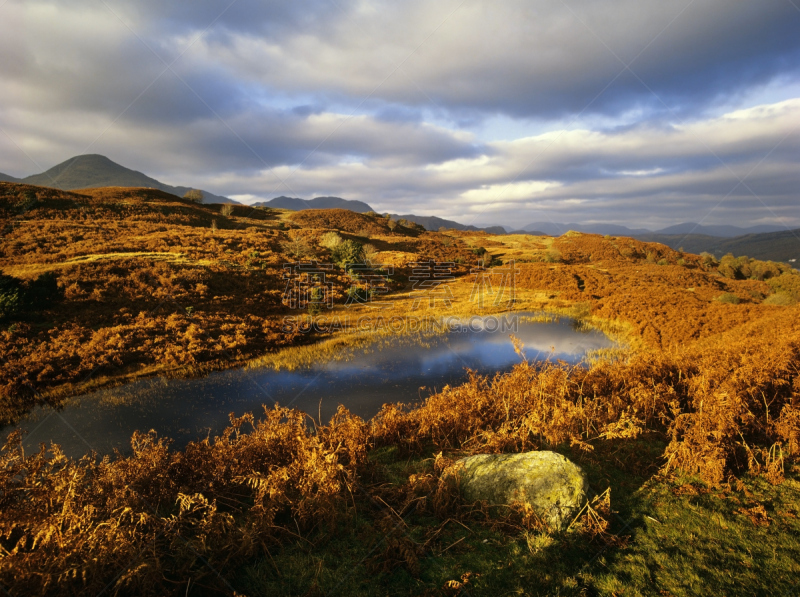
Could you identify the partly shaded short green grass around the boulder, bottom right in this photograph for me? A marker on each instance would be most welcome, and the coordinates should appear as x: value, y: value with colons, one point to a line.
x: 680, y: 538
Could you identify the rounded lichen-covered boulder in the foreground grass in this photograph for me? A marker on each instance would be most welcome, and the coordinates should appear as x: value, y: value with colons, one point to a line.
x: 554, y: 486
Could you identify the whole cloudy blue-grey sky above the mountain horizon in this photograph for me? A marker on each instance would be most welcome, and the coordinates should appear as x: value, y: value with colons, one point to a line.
x: 635, y: 112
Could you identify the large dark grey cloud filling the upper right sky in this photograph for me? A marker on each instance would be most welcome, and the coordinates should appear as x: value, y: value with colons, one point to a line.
x: 542, y: 62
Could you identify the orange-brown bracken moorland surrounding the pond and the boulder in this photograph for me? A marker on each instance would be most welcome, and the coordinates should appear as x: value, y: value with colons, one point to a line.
x: 689, y: 433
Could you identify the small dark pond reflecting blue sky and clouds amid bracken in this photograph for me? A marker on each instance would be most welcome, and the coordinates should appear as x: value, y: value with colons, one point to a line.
x: 400, y: 369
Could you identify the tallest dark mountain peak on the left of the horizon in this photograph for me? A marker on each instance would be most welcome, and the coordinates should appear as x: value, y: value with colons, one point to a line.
x: 93, y: 170
